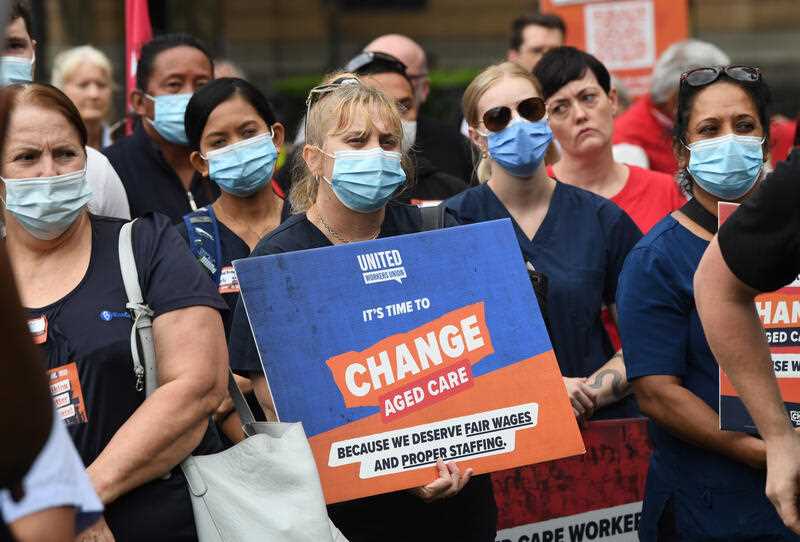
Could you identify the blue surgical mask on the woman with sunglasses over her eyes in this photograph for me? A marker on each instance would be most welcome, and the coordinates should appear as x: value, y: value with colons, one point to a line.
x: 519, y: 148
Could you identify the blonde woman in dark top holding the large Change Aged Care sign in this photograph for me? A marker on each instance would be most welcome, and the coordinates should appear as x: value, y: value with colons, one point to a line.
x: 352, y: 166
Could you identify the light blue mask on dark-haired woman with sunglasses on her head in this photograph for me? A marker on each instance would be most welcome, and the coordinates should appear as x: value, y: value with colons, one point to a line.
x: 726, y: 167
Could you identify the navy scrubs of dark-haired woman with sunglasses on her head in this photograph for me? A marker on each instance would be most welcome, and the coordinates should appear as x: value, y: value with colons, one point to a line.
x: 713, y: 497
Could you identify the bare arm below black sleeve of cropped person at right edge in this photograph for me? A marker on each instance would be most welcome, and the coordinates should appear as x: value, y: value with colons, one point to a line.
x: 737, y: 339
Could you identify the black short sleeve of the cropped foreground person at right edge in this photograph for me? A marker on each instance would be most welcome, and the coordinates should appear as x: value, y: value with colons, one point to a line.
x: 761, y: 240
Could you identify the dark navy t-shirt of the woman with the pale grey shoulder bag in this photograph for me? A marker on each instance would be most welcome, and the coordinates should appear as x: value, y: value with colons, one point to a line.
x: 88, y: 354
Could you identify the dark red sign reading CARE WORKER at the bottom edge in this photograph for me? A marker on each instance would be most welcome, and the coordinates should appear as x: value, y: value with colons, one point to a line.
x: 596, y: 496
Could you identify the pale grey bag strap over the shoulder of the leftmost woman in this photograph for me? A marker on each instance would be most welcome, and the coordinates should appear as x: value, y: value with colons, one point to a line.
x: 142, y: 329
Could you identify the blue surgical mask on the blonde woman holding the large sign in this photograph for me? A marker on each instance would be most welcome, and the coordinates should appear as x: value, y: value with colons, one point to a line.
x: 364, y: 181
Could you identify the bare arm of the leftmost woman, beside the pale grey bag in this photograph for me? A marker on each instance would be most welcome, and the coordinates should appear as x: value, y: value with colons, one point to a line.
x: 192, y: 382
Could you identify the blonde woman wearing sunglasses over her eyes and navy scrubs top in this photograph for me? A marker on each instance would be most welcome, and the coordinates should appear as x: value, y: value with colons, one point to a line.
x: 577, y: 239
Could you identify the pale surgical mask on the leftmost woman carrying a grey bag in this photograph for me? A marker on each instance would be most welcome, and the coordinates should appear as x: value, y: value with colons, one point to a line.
x: 47, y: 206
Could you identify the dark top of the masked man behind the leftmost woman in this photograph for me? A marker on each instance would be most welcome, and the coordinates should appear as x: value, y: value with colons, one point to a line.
x: 150, y: 182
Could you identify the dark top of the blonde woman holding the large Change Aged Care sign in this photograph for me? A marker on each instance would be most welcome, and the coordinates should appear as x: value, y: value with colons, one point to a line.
x: 469, y: 516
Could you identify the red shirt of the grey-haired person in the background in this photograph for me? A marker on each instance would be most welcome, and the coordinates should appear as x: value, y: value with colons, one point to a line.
x: 641, y: 126
